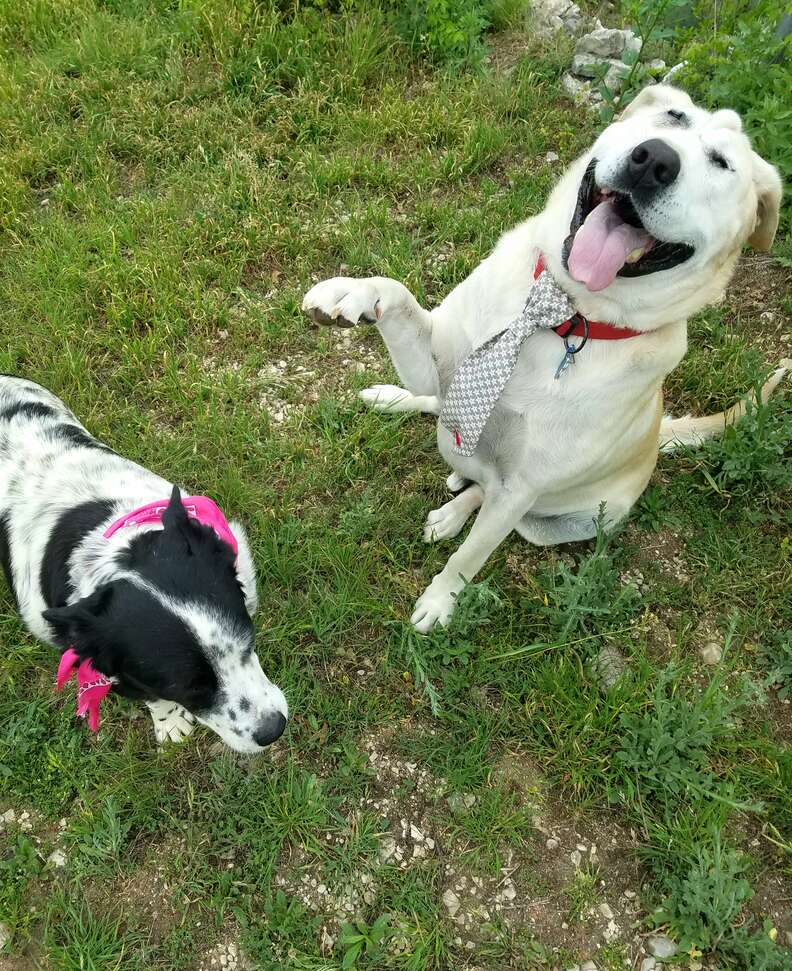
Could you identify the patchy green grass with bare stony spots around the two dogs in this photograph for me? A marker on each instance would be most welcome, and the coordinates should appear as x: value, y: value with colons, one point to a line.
x: 172, y: 178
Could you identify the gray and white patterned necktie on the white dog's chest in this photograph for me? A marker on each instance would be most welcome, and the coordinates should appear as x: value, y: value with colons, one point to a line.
x: 480, y: 379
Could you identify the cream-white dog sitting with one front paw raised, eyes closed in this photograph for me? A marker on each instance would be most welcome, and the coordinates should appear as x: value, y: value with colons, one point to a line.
x: 642, y: 231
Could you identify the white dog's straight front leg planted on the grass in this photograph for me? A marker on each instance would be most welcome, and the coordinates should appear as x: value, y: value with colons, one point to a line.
x: 500, y: 512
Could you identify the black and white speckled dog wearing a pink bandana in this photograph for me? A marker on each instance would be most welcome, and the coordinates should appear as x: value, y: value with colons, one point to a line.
x: 162, y: 609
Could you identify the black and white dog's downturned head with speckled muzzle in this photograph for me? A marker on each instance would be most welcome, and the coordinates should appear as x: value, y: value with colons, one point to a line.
x: 170, y: 622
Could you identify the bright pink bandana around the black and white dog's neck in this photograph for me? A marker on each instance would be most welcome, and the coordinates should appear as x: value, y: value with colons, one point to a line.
x: 92, y: 686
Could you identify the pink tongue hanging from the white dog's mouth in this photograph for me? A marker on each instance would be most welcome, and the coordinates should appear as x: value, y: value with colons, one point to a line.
x: 601, y: 247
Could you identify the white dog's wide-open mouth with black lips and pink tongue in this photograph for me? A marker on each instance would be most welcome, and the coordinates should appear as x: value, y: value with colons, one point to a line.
x: 607, y: 239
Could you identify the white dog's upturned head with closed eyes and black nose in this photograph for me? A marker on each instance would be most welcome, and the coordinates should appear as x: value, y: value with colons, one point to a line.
x: 668, y: 187
